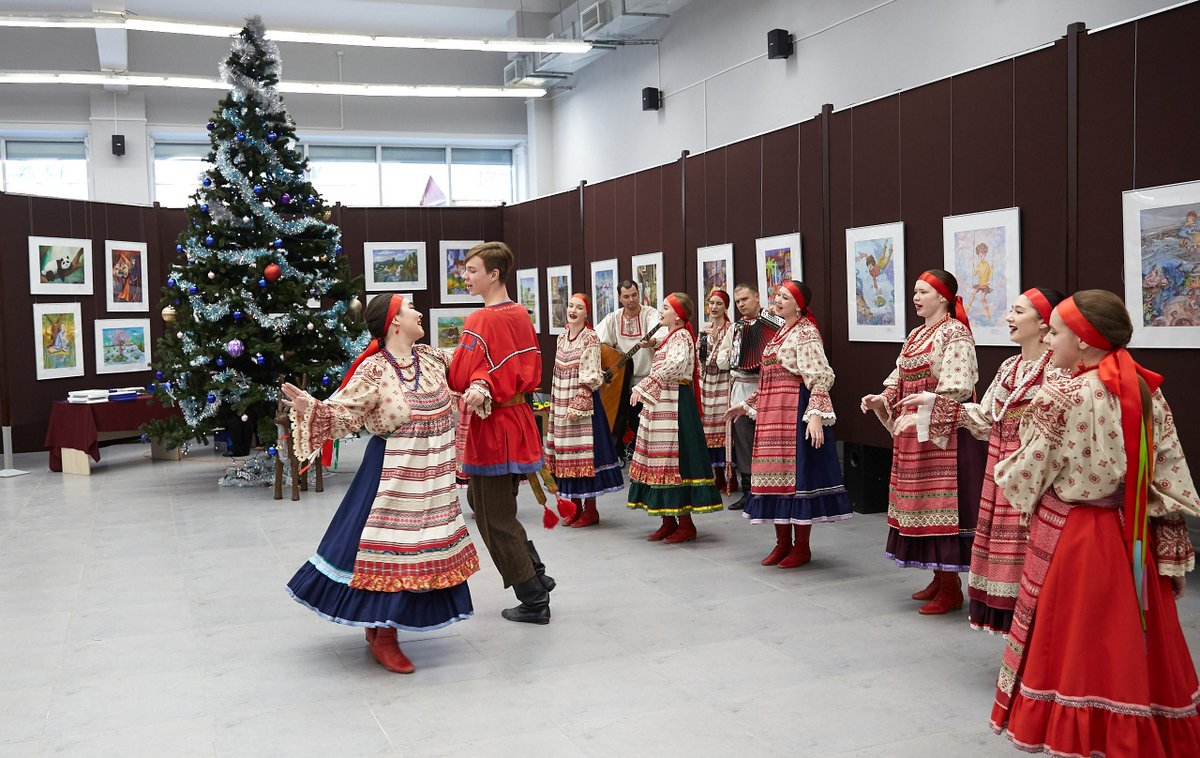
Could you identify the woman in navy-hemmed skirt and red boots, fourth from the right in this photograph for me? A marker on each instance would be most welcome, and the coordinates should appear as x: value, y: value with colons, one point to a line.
x: 793, y: 483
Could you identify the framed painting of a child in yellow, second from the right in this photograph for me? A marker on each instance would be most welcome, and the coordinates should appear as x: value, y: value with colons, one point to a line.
x: 983, y: 251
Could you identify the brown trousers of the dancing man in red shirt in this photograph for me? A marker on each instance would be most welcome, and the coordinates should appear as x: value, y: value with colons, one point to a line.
x: 495, y: 502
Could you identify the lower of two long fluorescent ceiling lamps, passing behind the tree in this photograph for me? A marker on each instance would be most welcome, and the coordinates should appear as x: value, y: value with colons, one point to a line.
x: 299, y: 88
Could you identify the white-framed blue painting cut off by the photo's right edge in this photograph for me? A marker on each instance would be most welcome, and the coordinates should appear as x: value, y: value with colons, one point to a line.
x: 1162, y: 264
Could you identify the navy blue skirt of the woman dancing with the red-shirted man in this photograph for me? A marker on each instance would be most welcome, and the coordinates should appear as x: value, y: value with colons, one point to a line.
x: 323, y: 585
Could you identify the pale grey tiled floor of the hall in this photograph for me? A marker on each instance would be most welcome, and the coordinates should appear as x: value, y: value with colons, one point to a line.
x: 143, y: 613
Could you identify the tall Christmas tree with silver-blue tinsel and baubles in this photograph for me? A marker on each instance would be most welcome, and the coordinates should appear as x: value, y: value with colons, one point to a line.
x: 256, y: 255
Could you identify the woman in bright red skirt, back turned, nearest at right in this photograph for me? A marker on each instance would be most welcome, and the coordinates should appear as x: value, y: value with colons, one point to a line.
x: 1096, y: 664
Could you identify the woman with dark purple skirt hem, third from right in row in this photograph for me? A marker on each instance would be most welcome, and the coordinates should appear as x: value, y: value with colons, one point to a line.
x: 934, y: 491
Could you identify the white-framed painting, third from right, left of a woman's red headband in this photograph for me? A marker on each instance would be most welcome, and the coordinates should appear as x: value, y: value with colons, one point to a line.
x: 875, y: 286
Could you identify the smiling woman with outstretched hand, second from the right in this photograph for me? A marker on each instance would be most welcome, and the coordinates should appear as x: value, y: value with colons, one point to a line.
x: 1001, y: 536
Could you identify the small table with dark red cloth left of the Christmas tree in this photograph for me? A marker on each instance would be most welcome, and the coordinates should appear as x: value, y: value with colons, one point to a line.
x: 76, y: 430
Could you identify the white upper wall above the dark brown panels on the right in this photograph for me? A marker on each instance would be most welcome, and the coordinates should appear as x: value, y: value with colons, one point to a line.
x: 719, y: 86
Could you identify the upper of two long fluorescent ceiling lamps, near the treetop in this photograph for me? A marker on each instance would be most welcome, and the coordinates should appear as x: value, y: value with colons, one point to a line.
x: 135, y: 23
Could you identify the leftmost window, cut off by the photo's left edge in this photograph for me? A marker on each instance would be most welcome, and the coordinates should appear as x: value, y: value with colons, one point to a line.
x: 49, y: 169
